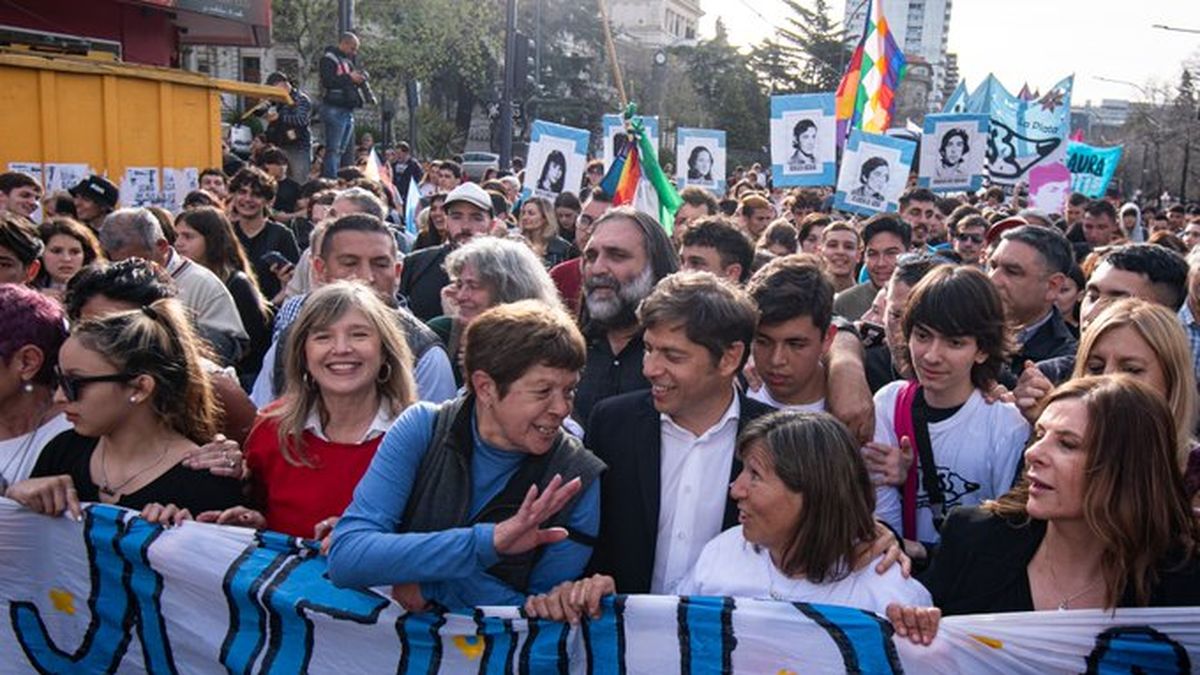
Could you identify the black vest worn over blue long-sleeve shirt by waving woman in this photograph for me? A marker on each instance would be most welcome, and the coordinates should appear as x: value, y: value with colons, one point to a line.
x: 441, y: 497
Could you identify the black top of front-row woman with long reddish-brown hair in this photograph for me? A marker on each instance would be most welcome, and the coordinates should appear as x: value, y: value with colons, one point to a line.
x: 982, y: 565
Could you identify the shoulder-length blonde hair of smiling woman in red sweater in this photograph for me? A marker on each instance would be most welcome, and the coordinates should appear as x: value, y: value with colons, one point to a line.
x: 302, y: 397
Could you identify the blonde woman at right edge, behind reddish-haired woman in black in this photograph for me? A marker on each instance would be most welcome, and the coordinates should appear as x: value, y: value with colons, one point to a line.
x: 1147, y: 342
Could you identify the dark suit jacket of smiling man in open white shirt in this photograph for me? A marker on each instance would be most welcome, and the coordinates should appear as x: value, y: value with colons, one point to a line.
x: 626, y: 433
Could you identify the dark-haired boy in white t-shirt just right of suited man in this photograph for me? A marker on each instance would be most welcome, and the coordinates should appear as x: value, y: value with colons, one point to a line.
x: 795, y: 332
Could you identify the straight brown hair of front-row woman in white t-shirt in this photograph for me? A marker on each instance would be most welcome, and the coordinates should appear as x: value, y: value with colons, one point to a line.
x: 815, y: 456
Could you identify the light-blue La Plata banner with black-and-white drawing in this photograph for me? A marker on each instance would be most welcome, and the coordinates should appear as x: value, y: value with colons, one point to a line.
x: 1023, y: 134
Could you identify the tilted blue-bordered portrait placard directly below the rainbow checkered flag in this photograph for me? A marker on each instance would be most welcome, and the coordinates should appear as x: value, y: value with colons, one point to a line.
x: 874, y: 172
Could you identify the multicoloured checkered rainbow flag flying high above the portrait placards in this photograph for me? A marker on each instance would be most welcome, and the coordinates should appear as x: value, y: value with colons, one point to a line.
x: 868, y: 88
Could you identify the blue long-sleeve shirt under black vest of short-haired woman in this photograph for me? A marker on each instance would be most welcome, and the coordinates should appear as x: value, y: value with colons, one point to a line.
x: 452, y: 565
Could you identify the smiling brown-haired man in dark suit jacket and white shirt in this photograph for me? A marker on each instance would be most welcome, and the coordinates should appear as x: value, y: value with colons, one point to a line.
x: 671, y: 451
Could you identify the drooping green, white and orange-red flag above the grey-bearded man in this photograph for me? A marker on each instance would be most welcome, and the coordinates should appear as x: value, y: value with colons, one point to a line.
x: 635, y: 177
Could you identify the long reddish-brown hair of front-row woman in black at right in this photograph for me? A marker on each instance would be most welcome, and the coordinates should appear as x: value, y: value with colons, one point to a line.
x: 1135, y: 500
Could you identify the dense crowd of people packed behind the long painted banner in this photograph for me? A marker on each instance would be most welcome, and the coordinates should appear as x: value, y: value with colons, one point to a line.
x: 967, y: 407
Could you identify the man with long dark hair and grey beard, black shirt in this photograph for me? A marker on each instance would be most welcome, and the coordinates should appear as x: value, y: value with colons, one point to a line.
x: 627, y: 256
